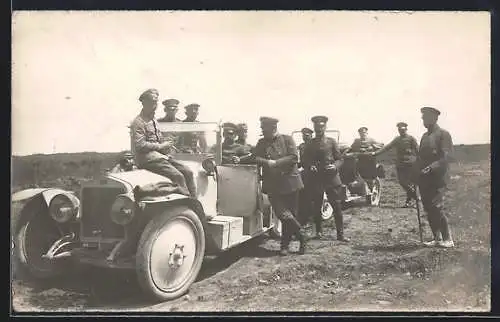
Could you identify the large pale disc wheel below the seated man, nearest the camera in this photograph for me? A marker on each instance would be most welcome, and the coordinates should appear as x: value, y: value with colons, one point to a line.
x: 170, y: 254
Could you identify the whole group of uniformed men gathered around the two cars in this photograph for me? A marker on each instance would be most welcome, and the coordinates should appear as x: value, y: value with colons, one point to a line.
x: 425, y: 166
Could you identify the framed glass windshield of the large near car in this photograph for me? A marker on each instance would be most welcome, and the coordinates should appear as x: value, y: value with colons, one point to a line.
x: 191, y: 137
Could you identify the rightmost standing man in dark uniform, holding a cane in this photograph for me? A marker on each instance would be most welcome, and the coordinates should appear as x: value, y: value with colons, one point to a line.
x: 436, y: 147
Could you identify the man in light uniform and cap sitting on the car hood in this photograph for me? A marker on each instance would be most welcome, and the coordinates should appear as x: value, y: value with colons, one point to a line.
x: 151, y: 150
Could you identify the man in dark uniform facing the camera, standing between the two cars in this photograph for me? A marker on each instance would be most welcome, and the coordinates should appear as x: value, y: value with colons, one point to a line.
x: 322, y: 161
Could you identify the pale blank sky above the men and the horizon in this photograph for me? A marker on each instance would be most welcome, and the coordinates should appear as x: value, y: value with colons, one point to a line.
x: 77, y: 76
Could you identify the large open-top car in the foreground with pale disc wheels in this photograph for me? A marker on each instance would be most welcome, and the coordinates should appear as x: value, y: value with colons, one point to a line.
x: 163, y: 237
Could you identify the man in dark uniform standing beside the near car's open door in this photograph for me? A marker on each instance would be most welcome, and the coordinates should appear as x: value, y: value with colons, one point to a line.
x: 277, y: 155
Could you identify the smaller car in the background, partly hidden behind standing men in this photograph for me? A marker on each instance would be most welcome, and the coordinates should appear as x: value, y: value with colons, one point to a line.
x: 360, y: 174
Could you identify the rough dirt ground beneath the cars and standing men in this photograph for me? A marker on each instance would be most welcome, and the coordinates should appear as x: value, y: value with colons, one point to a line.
x: 383, y: 268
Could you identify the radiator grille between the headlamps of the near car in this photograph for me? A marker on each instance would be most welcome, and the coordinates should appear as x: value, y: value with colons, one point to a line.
x: 96, y: 209
